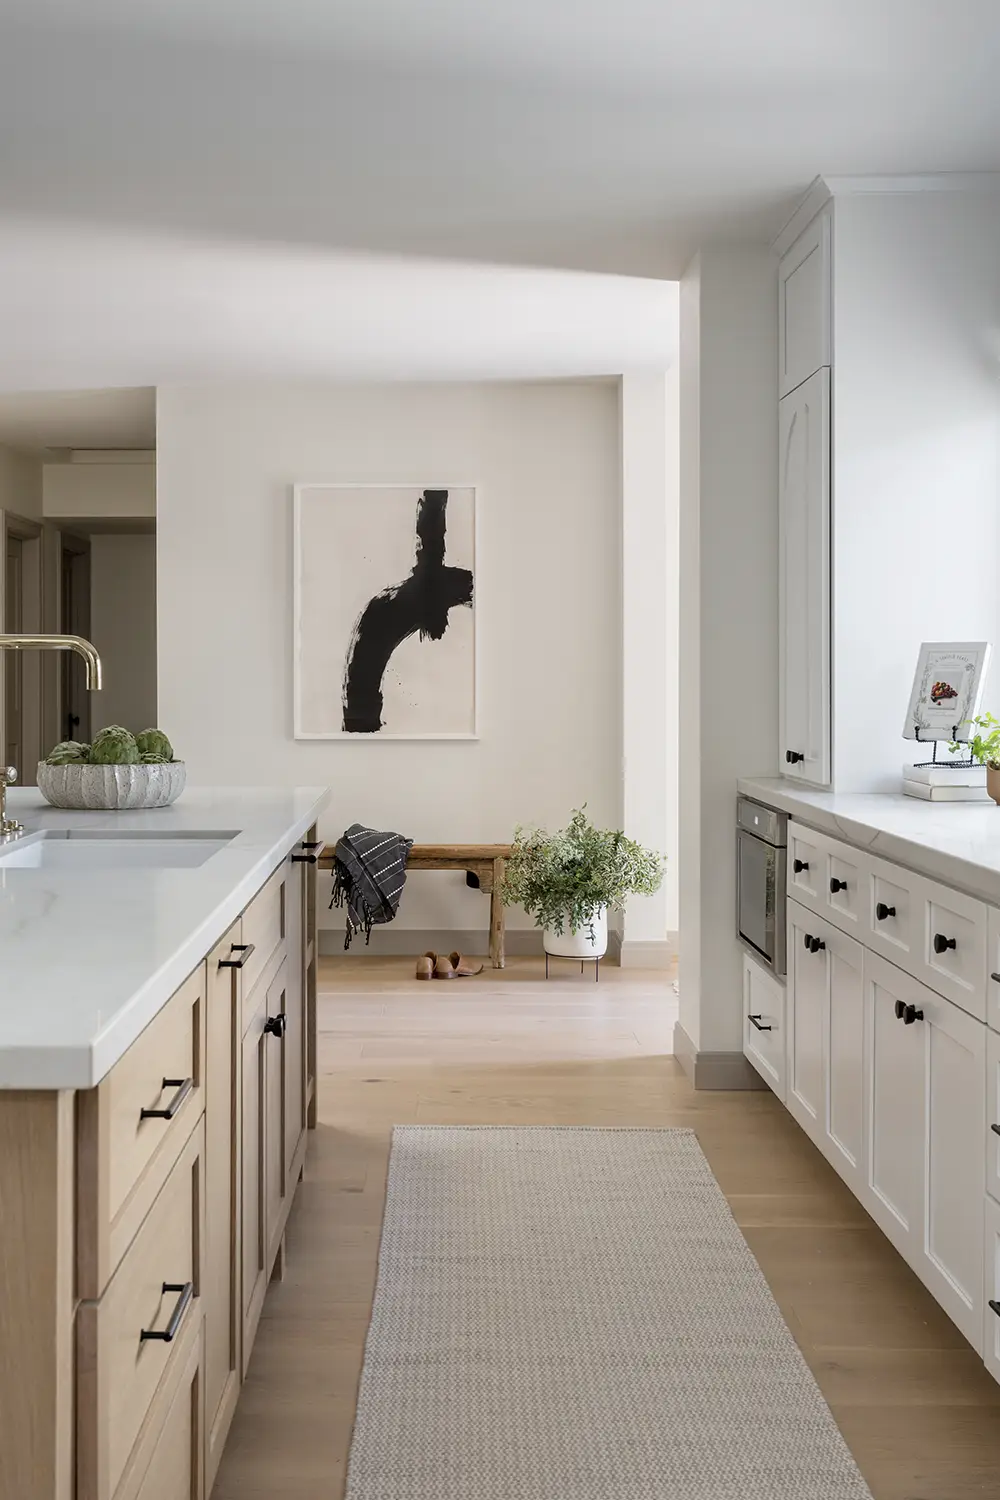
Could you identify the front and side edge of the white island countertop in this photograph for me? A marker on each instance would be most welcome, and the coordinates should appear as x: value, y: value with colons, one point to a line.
x: 83, y: 1067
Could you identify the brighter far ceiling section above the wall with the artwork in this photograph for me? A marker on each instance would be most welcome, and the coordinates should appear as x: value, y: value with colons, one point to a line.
x: 86, y: 308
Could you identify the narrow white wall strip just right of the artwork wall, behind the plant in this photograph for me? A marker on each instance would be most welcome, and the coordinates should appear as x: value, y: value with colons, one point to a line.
x: 650, y: 649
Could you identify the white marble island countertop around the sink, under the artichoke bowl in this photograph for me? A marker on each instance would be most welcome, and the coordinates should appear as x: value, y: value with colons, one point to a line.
x: 88, y: 962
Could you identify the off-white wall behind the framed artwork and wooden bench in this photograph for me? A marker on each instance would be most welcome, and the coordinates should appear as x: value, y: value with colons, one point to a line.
x: 548, y: 461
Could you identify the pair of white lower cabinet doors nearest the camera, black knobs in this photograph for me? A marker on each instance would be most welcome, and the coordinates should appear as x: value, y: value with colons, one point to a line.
x: 926, y: 1064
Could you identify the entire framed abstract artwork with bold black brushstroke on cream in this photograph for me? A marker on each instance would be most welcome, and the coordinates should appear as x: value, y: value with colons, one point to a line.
x: 385, y: 613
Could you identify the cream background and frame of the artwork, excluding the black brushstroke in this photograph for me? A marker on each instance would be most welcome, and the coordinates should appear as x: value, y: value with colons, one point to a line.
x: 340, y: 566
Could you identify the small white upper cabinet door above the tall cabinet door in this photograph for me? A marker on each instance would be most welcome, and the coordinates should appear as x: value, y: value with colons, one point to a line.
x: 804, y: 307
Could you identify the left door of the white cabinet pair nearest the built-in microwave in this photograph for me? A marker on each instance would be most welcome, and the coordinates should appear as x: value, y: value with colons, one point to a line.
x: 807, y: 1004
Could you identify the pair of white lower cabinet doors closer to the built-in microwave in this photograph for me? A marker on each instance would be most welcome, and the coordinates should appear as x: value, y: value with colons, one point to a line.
x: 825, y: 1090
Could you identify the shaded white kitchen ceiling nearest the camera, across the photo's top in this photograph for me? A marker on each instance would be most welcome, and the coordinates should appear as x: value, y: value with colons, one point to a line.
x: 600, y: 134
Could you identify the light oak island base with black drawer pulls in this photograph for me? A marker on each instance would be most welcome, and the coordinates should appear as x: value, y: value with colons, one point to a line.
x: 151, y: 1216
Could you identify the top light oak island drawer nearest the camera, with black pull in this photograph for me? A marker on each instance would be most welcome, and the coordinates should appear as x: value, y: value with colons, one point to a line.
x: 133, y: 1129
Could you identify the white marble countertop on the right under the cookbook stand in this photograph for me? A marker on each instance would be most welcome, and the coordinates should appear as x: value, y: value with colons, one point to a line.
x: 957, y: 844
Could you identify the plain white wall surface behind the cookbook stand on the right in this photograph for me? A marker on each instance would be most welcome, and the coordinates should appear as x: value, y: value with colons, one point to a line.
x: 917, y: 458
